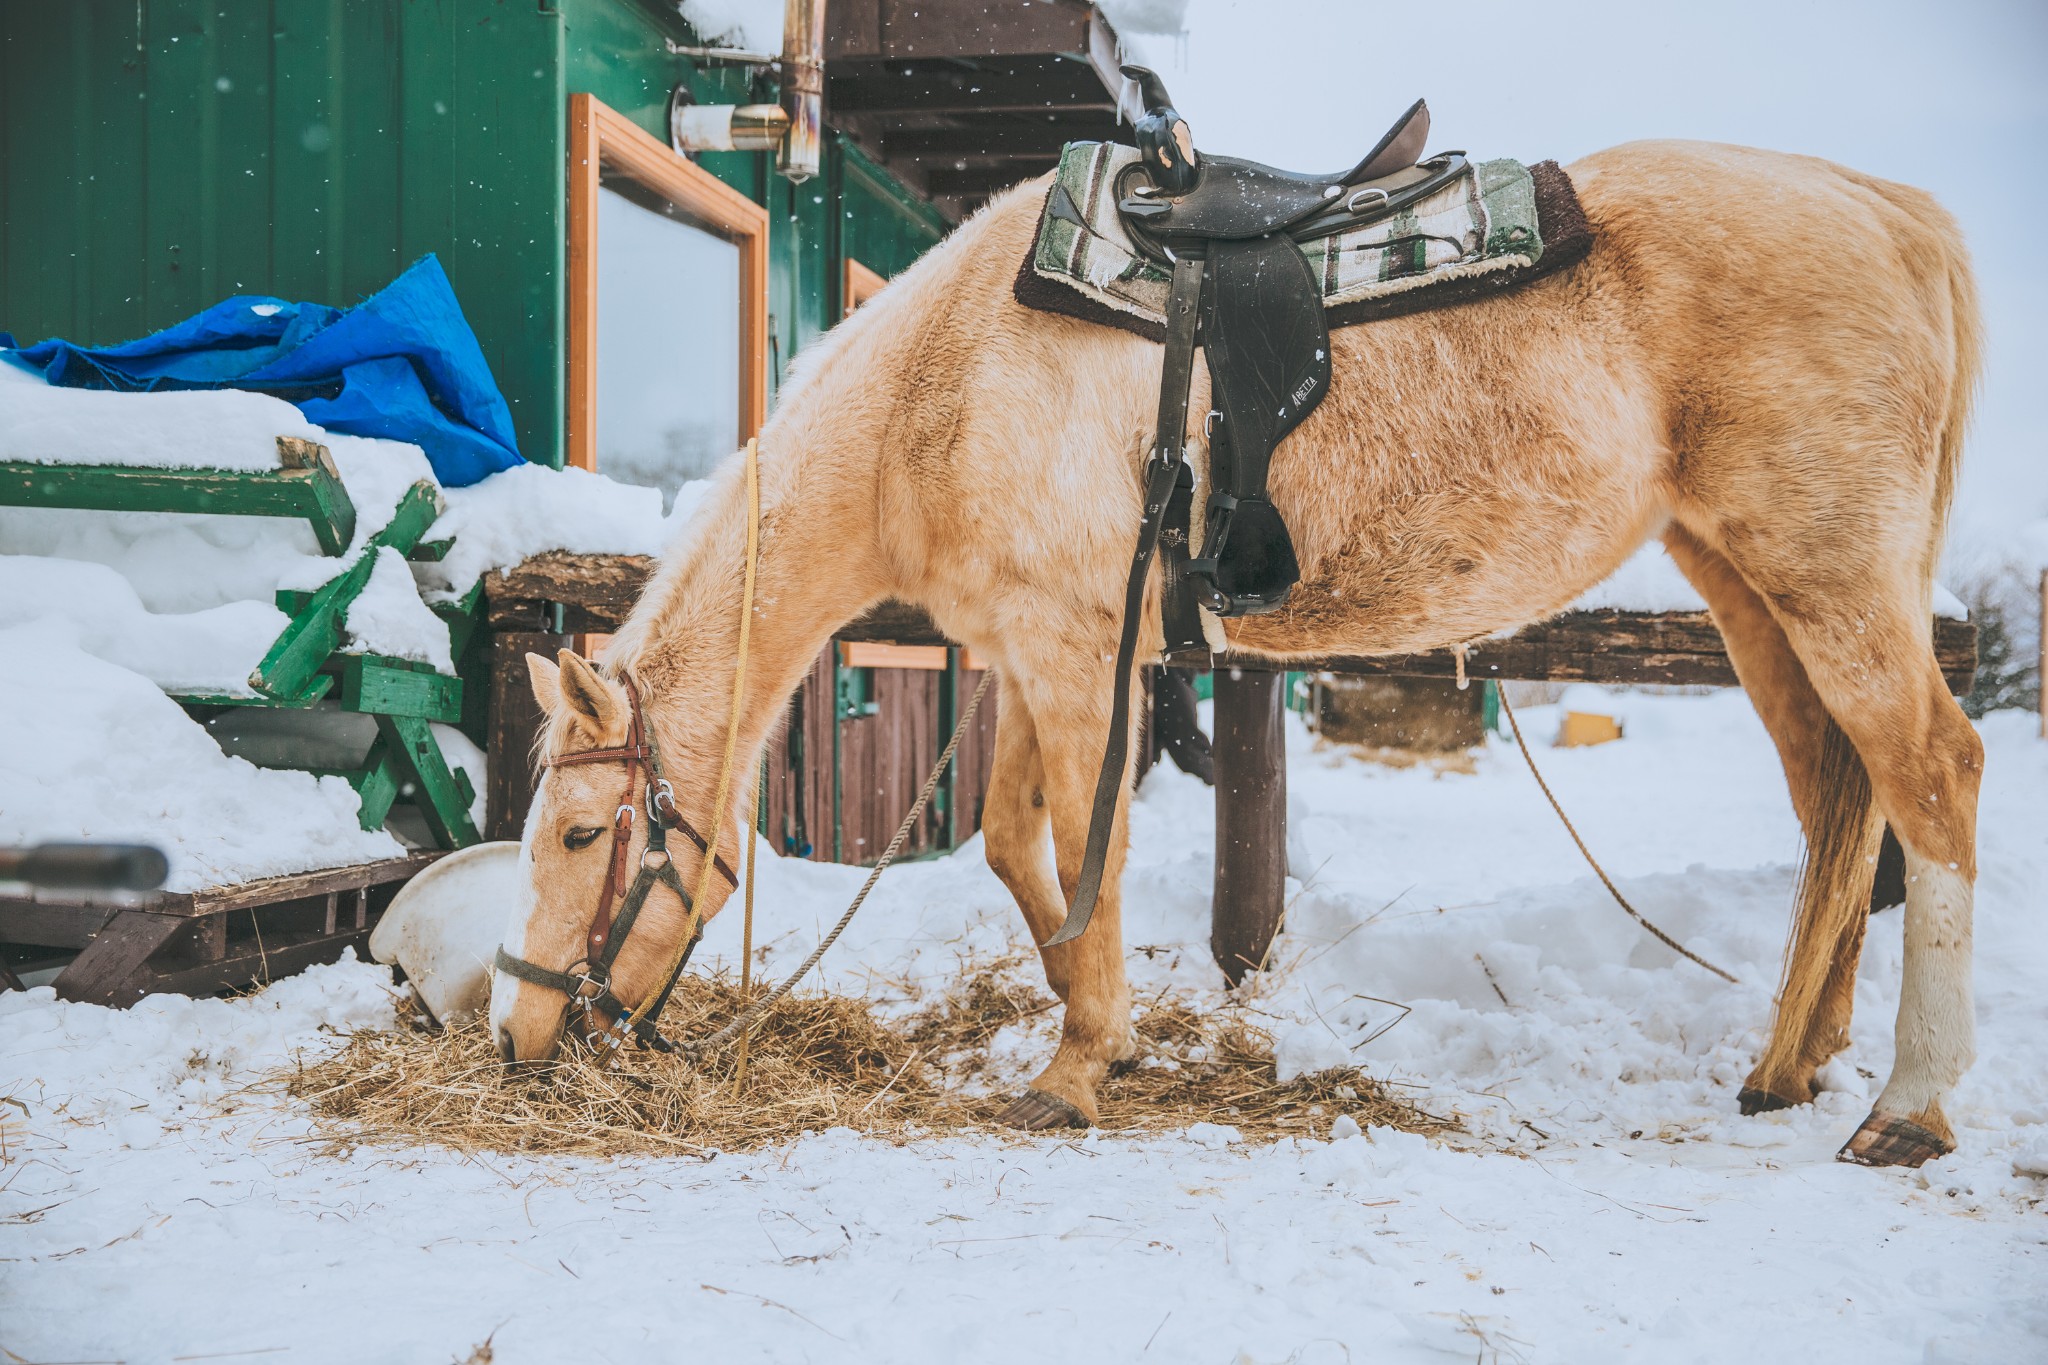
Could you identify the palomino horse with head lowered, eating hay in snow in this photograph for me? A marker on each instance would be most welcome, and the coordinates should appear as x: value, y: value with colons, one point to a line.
x: 1766, y: 361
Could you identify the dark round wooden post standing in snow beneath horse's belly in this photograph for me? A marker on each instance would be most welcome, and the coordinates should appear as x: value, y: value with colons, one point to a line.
x: 1250, y: 889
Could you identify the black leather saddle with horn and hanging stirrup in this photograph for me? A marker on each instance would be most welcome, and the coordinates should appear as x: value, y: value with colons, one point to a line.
x: 1250, y: 302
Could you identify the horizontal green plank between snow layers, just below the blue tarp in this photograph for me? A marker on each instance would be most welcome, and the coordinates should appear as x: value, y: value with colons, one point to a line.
x: 312, y: 494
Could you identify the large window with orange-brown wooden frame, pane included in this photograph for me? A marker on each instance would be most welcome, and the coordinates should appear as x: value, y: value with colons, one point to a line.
x: 669, y: 308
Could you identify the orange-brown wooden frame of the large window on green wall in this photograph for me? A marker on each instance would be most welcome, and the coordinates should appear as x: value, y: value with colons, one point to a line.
x: 601, y: 140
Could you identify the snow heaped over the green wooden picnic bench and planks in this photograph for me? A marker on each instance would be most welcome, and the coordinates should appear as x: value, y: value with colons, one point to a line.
x: 118, y: 607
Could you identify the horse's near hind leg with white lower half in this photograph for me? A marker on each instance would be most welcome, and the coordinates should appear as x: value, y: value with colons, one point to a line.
x: 1859, y: 623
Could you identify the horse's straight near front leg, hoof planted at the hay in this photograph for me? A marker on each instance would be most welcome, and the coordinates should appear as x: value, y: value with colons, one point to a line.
x: 1091, y: 971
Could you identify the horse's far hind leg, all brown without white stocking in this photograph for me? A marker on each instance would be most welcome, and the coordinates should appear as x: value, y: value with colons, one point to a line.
x: 1820, y: 977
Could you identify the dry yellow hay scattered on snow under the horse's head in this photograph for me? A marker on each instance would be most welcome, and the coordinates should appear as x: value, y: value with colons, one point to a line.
x: 818, y: 1061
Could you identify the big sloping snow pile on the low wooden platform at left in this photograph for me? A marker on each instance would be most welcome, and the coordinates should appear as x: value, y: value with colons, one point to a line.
x: 97, y: 752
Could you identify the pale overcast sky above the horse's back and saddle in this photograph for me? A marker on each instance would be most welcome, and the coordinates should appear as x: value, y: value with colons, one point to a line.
x: 1951, y: 97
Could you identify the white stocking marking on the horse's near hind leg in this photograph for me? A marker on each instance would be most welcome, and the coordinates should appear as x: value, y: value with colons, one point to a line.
x: 1936, y: 1037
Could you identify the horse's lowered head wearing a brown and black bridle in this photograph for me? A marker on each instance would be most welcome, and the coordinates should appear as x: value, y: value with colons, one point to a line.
x: 599, y: 916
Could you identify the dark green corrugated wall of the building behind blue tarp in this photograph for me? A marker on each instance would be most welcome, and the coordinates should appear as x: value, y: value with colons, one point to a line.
x: 163, y: 155
